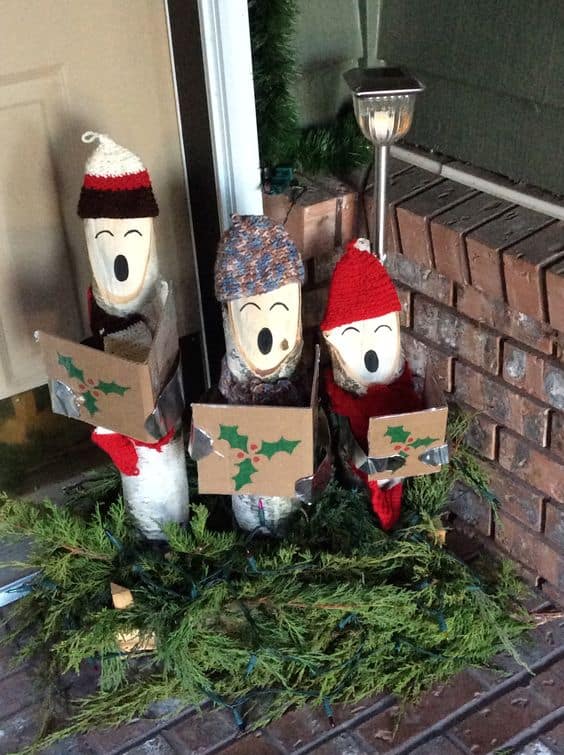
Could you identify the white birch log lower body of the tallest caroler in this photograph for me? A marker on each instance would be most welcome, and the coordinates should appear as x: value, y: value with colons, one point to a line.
x: 159, y: 493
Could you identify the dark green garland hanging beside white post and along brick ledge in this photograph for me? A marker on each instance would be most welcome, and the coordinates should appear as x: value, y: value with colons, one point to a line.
x: 333, y: 148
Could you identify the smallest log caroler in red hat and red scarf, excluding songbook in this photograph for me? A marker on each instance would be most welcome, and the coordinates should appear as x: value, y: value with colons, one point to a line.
x: 369, y: 376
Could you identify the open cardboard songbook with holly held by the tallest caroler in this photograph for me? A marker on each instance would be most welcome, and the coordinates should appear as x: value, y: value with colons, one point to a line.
x: 107, y: 390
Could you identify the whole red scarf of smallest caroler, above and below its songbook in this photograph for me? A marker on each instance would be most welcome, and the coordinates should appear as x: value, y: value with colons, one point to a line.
x: 395, y: 398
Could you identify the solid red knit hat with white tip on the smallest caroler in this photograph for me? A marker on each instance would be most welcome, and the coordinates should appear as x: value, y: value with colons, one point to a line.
x: 360, y: 288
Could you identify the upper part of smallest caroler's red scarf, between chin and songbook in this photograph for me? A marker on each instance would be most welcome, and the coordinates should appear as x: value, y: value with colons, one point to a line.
x: 396, y: 398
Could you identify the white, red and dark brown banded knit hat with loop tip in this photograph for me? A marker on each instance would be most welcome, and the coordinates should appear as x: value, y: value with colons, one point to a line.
x: 116, y: 183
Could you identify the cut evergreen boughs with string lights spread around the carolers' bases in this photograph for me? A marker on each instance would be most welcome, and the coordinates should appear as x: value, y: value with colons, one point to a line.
x: 337, y: 611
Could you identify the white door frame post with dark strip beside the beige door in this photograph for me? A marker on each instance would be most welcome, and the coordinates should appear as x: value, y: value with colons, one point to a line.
x: 212, y: 68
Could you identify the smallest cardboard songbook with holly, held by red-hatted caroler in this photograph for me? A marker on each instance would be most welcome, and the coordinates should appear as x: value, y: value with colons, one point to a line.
x: 415, y: 440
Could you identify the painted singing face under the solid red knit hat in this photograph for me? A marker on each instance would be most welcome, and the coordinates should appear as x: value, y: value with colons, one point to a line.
x: 369, y: 351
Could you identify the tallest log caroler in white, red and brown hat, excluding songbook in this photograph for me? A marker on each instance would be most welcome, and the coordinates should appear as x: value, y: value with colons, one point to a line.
x: 126, y: 299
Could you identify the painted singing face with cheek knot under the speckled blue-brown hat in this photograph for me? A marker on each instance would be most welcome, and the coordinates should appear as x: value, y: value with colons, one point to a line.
x: 267, y: 327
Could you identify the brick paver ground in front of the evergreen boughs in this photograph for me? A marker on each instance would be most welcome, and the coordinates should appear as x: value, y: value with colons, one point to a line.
x: 479, y: 711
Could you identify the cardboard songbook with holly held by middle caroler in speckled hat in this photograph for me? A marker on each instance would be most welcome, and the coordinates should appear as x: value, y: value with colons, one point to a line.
x: 259, y: 450
